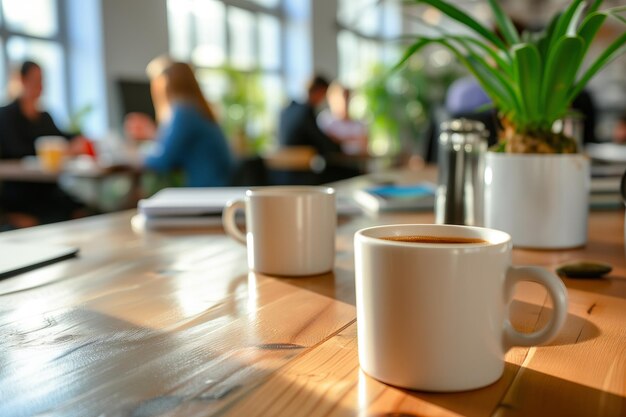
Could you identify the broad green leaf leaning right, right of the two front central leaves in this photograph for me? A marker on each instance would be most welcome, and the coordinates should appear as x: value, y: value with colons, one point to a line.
x: 560, y: 74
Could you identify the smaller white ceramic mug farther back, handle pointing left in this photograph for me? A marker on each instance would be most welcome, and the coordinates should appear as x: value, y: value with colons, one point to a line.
x: 290, y: 229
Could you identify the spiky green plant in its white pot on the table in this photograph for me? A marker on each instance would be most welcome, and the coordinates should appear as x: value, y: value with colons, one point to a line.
x: 536, y: 184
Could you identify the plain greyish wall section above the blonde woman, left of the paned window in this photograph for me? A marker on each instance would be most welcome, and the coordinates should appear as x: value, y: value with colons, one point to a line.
x: 135, y: 31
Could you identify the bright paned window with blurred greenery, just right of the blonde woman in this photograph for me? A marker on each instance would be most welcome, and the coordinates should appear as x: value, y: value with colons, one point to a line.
x: 236, y: 49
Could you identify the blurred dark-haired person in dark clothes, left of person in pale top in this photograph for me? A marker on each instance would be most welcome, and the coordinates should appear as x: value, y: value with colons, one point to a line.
x: 298, y: 124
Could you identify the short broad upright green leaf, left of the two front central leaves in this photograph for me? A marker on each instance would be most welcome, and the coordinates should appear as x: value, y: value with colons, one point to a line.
x: 528, y: 72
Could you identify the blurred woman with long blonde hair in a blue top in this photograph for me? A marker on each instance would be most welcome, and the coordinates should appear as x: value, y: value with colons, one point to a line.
x: 188, y: 136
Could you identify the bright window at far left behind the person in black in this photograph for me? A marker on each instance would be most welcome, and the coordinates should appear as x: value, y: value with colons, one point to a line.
x: 29, y: 30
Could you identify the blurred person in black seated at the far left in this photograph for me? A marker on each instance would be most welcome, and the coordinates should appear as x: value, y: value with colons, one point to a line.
x: 21, y: 123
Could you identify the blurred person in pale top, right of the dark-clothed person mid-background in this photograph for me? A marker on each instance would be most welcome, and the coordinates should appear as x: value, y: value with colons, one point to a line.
x: 352, y: 134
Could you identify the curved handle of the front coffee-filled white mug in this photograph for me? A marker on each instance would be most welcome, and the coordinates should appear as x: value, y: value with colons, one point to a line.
x: 558, y: 293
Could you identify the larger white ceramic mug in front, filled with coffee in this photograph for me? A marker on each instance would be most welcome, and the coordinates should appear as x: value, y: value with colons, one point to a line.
x: 434, y: 316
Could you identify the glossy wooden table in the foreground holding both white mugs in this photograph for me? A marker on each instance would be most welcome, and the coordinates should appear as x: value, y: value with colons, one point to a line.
x: 149, y: 323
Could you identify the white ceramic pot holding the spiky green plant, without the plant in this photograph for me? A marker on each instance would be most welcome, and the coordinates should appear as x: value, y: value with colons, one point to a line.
x: 542, y: 201
